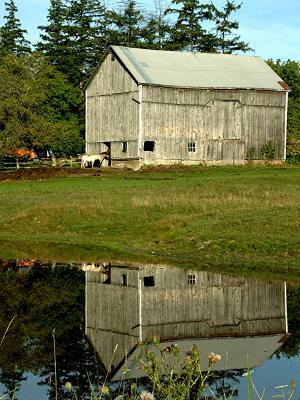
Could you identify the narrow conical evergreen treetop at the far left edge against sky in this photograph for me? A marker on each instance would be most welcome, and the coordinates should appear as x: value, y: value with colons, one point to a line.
x: 12, y: 40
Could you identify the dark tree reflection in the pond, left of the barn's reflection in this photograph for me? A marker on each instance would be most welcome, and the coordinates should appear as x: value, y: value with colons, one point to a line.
x: 44, y: 298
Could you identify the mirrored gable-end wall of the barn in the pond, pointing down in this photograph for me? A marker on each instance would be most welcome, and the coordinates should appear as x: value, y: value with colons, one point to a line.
x: 111, y: 318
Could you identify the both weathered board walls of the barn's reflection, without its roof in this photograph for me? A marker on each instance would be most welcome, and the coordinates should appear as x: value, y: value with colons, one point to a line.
x: 214, y: 306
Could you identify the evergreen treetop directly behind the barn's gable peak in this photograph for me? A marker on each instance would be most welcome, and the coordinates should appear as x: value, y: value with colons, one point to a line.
x: 128, y: 26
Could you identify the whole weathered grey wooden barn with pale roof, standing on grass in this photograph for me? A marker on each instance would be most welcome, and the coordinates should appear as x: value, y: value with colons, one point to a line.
x: 163, y: 107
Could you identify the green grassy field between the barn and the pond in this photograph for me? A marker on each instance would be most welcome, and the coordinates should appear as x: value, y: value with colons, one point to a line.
x: 234, y: 219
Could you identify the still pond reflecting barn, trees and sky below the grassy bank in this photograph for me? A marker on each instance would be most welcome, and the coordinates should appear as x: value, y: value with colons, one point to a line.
x: 72, y: 323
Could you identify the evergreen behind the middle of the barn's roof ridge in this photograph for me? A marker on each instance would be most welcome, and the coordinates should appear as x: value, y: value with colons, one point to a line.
x: 188, y: 32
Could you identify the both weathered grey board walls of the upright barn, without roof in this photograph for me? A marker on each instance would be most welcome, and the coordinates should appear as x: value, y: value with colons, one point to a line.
x: 223, y: 124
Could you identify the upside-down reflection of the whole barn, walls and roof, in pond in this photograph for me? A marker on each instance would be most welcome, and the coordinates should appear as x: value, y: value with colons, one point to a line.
x: 242, y: 319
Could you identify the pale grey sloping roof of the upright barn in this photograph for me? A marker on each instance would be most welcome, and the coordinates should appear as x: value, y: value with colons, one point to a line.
x: 201, y: 70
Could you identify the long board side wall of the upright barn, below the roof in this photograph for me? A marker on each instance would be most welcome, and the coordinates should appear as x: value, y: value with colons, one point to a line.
x: 223, y: 124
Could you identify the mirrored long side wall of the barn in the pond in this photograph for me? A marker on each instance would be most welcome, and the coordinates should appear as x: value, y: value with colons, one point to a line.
x: 216, y: 305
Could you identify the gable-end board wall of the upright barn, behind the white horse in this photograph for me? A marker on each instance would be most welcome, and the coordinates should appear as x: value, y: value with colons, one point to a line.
x: 112, y: 111
